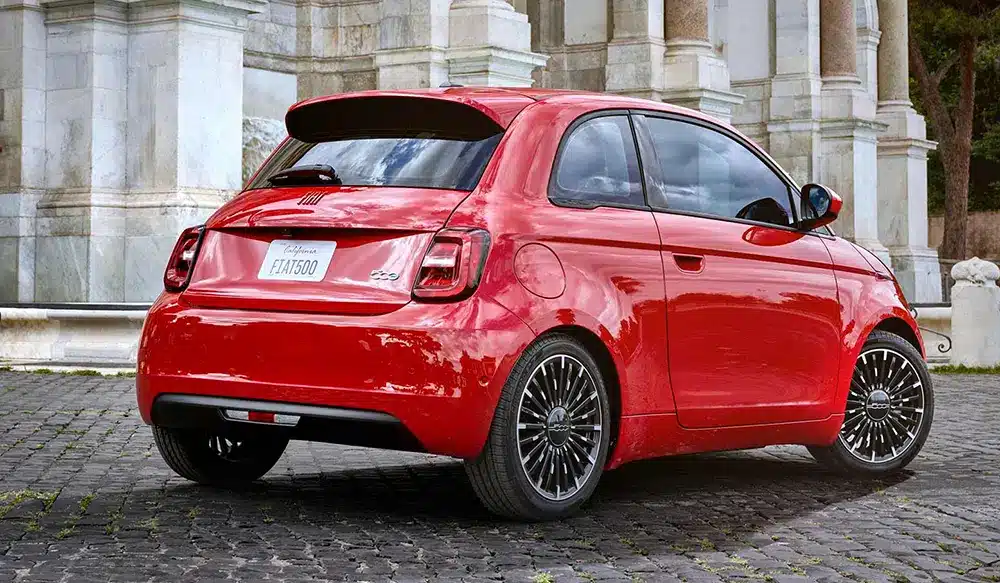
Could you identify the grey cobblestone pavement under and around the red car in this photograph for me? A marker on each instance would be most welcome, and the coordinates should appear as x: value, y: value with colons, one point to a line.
x: 84, y: 496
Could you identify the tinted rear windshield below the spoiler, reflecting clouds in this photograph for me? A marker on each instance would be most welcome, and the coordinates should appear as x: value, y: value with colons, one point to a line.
x: 424, y: 161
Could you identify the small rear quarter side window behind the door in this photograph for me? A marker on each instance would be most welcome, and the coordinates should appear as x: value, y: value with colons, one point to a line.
x: 598, y: 164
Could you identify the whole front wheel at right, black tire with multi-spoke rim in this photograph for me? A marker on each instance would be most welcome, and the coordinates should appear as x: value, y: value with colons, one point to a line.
x: 841, y: 456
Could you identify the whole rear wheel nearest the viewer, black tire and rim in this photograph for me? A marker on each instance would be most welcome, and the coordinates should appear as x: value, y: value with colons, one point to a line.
x: 498, y: 476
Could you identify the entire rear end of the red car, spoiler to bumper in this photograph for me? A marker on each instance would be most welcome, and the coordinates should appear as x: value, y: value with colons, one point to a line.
x: 332, y: 300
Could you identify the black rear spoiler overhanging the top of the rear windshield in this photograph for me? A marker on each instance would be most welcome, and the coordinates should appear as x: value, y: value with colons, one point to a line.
x: 391, y: 115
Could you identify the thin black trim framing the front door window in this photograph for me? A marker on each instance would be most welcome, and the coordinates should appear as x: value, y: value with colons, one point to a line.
x: 644, y: 142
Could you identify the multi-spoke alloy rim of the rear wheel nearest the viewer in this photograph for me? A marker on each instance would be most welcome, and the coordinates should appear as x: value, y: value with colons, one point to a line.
x: 559, y: 425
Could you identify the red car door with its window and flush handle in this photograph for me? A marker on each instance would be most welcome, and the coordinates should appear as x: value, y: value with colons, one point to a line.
x: 753, y: 320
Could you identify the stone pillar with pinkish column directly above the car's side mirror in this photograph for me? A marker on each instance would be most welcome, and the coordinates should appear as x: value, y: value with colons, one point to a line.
x: 848, y: 128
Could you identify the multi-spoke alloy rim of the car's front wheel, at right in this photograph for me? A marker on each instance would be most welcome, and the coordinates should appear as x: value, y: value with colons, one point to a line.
x: 885, y: 407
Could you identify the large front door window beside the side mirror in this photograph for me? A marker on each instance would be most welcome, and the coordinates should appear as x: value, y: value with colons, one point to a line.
x: 705, y: 171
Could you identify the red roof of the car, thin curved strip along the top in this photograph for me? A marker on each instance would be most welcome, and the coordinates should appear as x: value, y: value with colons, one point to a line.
x: 502, y: 104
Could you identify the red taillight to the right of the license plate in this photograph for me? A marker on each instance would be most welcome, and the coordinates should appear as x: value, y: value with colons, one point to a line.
x: 453, y: 264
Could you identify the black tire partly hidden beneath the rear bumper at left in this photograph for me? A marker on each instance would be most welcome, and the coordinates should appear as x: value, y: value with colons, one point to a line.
x: 197, y: 455
